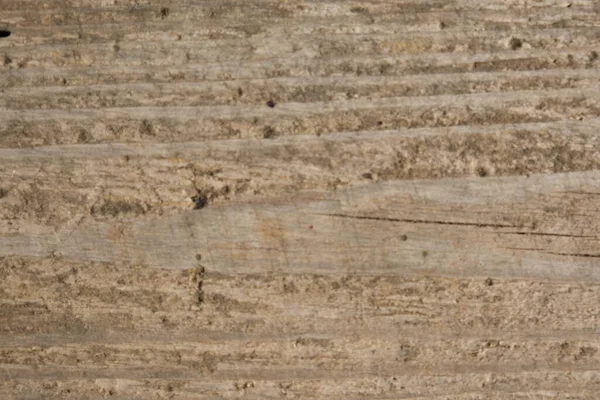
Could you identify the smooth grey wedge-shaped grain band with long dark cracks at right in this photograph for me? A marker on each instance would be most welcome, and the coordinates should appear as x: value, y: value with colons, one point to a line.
x: 541, y: 226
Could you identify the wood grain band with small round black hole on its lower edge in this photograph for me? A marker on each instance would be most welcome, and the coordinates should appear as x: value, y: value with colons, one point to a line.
x: 253, y: 91
